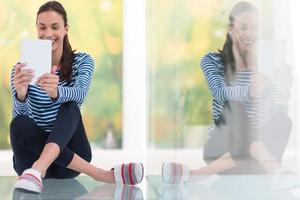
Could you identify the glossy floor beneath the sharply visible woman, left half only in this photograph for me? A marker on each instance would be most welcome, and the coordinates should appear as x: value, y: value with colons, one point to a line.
x: 81, y: 188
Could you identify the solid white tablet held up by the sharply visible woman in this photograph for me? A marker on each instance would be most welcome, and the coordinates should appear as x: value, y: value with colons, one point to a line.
x: 37, y: 54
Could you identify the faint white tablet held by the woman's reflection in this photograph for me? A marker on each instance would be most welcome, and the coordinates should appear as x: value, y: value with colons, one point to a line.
x: 272, y: 55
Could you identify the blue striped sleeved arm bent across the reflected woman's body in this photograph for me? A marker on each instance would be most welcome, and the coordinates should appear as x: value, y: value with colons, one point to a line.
x: 220, y: 91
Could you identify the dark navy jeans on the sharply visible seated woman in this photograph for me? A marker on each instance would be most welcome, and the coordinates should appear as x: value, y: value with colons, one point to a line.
x: 28, y: 140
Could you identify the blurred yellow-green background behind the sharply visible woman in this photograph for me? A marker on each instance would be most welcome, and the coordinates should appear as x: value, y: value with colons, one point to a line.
x: 96, y: 28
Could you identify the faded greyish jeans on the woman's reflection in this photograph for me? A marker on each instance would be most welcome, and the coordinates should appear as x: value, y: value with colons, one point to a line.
x: 236, y: 135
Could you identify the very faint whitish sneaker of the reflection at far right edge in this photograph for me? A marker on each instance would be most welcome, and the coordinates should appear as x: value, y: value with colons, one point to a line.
x: 283, y: 179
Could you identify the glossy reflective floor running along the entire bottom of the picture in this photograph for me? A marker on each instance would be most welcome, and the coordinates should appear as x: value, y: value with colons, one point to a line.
x: 214, y: 187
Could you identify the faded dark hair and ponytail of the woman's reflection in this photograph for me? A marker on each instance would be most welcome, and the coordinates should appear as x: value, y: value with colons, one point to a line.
x: 226, y: 53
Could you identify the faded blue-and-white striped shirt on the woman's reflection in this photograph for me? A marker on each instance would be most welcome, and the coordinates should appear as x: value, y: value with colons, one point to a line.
x: 257, y: 109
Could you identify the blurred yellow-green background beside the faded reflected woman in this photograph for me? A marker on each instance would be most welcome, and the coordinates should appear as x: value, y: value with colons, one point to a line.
x: 179, y: 34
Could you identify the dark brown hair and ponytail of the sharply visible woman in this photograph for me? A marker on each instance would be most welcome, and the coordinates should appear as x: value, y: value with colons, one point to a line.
x: 68, y: 54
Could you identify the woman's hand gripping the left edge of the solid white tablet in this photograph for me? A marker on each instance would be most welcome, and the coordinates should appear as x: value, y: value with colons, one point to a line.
x: 22, y: 78
